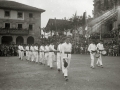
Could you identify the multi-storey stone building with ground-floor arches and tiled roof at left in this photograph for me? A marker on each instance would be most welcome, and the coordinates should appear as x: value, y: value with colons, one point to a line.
x: 19, y: 23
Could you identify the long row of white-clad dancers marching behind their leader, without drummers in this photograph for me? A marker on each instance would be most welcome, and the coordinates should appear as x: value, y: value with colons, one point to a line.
x: 45, y: 54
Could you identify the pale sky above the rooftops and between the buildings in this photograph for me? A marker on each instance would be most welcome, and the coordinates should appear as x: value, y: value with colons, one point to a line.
x: 59, y: 9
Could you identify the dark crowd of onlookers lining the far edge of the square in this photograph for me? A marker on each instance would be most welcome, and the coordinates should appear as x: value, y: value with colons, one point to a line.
x: 111, y: 46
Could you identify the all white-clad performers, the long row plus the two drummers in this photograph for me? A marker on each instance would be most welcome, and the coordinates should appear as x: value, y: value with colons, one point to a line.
x: 45, y: 54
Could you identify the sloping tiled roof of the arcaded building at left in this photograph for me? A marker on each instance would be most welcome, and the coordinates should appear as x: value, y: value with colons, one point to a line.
x: 18, y: 6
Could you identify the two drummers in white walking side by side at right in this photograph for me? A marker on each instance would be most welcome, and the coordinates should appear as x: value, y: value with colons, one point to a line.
x: 96, y: 51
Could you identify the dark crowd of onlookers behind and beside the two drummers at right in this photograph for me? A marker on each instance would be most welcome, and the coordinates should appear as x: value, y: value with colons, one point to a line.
x: 112, y: 48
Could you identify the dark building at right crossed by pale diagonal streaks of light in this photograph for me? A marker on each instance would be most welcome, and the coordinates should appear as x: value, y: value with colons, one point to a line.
x: 105, y: 24
